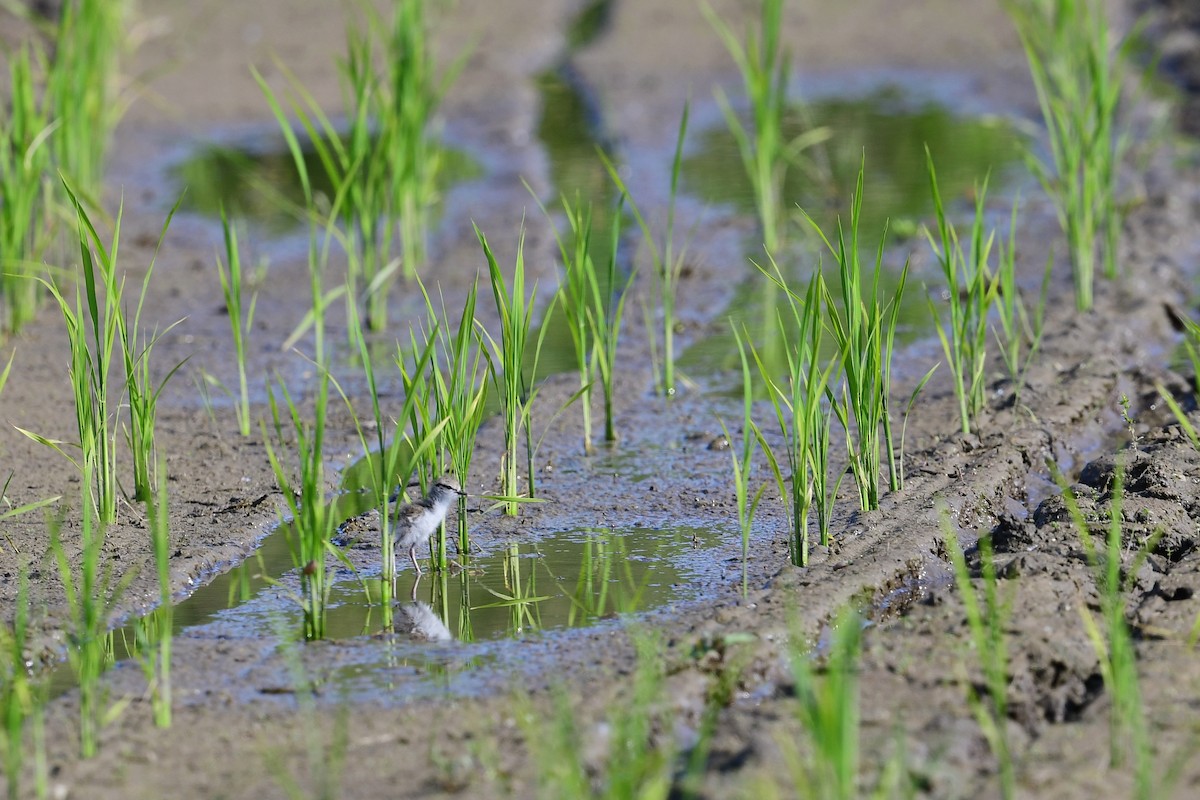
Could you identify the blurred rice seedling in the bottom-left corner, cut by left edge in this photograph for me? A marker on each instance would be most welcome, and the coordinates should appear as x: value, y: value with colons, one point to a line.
x: 22, y: 699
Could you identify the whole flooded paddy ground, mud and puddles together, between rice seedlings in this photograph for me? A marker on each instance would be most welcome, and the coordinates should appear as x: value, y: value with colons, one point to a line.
x: 623, y: 627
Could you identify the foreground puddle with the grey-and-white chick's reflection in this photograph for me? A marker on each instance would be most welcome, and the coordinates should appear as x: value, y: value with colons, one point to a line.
x: 568, y: 580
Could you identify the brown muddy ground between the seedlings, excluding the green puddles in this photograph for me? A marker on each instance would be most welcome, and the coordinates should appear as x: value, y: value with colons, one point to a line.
x: 231, y: 718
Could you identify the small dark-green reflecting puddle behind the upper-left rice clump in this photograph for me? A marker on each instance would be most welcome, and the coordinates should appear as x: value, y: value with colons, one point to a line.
x: 261, y: 184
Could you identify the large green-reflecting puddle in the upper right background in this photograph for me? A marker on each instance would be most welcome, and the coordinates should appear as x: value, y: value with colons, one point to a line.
x: 892, y: 129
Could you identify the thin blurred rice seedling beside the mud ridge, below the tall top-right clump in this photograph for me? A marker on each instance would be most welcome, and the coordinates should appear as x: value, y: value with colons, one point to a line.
x: 1019, y: 324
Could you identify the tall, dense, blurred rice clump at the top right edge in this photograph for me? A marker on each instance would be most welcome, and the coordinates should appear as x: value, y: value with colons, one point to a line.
x: 1078, y: 77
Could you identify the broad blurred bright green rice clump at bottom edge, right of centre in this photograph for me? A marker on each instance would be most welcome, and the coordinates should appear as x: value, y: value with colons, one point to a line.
x: 829, y: 715
